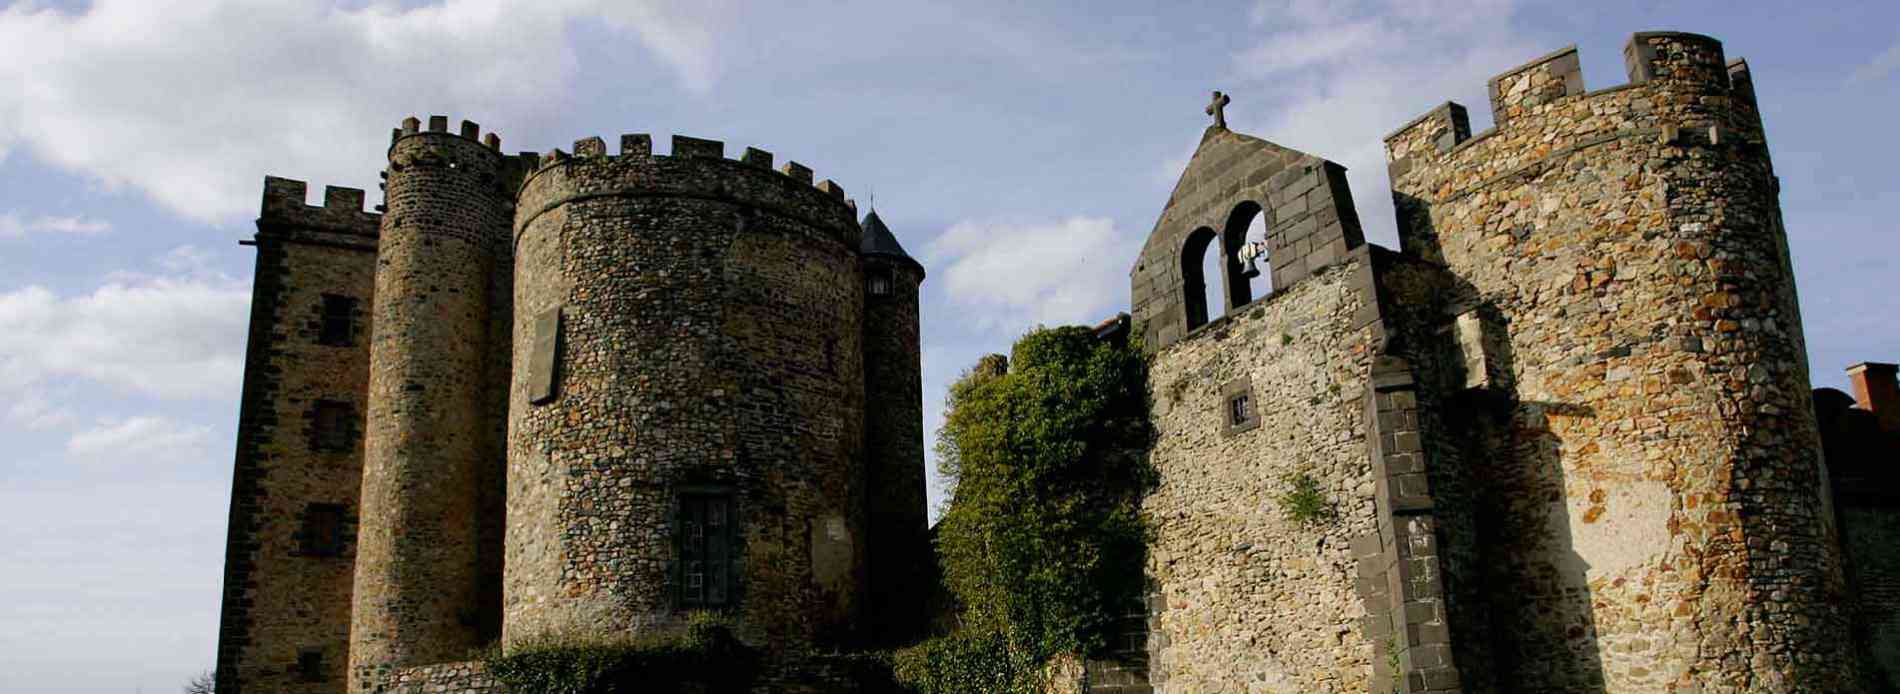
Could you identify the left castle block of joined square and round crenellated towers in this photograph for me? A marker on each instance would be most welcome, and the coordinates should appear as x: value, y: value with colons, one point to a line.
x: 569, y: 393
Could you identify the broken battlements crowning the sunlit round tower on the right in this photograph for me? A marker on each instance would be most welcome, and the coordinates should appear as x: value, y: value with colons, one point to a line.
x: 1660, y: 62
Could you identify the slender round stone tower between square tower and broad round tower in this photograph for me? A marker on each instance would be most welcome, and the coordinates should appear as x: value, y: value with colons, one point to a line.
x: 432, y: 448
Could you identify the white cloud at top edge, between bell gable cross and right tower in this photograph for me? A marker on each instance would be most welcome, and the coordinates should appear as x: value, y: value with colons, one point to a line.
x: 1348, y: 73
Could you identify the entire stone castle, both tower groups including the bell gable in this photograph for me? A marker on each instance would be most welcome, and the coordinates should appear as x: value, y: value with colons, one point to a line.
x: 1565, y: 431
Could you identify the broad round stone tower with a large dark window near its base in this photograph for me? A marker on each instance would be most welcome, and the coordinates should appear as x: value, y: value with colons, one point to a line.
x: 687, y: 412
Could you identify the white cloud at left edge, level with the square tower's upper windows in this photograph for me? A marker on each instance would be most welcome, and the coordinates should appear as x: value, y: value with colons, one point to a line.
x: 164, y: 337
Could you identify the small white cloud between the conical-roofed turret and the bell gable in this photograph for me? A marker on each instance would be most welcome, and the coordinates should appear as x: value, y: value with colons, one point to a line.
x: 1008, y: 275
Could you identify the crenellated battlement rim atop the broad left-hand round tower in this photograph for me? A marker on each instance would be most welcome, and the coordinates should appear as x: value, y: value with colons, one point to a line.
x: 675, y: 174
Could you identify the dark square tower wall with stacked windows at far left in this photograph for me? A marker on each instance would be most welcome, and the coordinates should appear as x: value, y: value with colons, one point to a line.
x: 284, y: 602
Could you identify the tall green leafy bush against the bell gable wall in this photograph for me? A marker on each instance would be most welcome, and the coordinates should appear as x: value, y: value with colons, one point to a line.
x: 1042, y: 541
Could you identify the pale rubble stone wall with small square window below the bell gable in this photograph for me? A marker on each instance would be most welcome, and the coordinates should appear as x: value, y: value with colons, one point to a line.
x: 1253, y: 600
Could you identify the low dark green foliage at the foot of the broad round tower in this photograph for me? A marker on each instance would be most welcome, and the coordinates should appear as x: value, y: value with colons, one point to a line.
x: 706, y: 653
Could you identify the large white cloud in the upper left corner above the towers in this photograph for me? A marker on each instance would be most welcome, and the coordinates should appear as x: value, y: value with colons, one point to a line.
x: 195, y: 102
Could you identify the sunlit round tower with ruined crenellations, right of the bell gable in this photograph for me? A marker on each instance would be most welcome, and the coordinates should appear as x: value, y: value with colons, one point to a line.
x: 1656, y: 503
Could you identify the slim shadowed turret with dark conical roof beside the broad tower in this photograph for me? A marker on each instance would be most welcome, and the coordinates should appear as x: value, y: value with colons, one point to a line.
x: 894, y: 436
